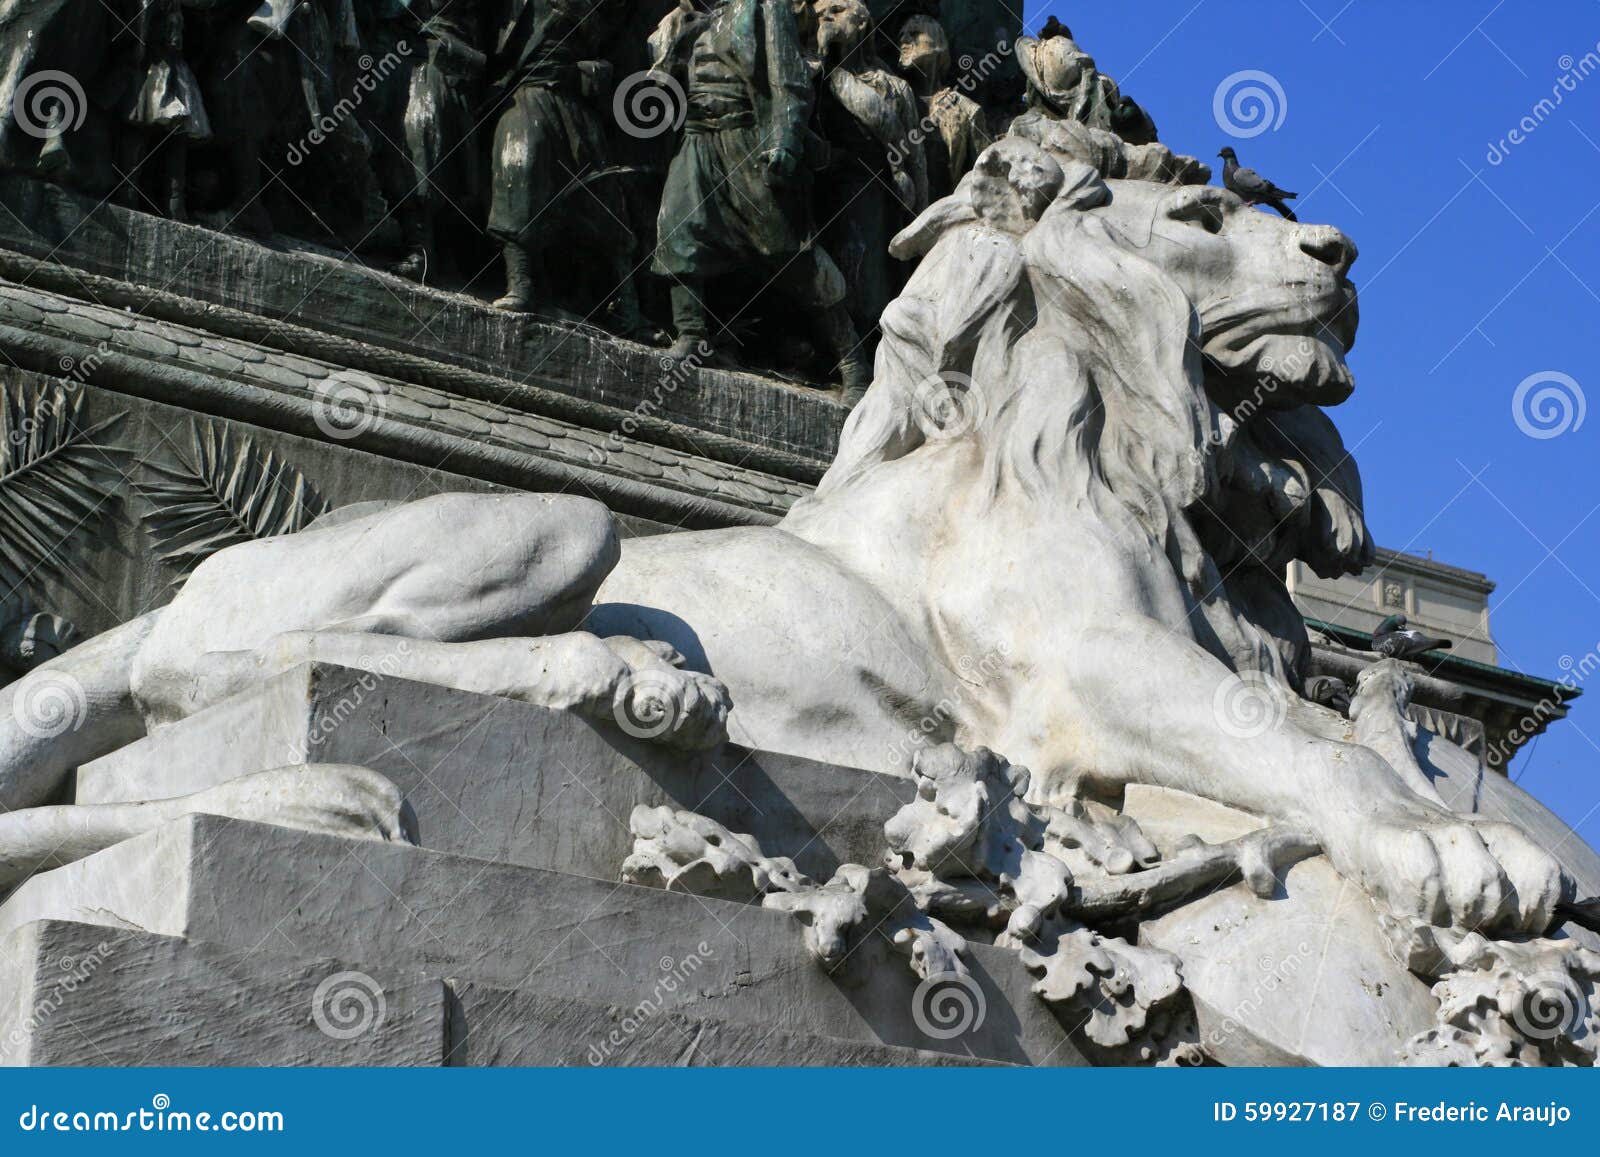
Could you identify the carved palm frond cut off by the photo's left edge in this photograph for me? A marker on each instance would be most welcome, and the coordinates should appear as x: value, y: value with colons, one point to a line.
x: 57, y: 482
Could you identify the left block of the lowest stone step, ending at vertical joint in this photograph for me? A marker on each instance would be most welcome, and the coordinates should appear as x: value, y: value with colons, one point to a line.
x: 89, y: 995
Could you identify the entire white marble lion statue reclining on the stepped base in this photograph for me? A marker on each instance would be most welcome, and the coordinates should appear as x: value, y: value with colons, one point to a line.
x: 1055, y: 529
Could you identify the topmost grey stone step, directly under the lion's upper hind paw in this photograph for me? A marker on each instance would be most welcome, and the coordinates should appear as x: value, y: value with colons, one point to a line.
x: 500, y: 780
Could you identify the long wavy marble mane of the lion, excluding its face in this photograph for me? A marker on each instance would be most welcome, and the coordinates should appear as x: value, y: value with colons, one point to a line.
x: 1078, y: 374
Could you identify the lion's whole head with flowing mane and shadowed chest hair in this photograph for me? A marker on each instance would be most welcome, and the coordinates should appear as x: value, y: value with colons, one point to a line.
x: 1153, y: 350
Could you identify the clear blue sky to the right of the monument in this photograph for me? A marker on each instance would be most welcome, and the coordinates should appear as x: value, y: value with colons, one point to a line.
x: 1478, y: 273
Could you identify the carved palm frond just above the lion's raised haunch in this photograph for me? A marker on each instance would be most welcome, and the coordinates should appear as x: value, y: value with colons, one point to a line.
x: 226, y: 492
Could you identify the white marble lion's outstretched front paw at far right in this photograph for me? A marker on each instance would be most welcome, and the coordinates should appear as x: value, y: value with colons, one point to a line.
x: 1454, y: 871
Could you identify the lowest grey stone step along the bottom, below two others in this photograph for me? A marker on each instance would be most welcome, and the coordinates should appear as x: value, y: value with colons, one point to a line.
x: 86, y: 995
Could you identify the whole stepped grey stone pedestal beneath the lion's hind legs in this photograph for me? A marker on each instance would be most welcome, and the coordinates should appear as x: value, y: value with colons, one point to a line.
x: 505, y: 939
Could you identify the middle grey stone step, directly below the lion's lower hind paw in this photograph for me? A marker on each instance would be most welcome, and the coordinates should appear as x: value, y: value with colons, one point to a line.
x: 250, y: 886
